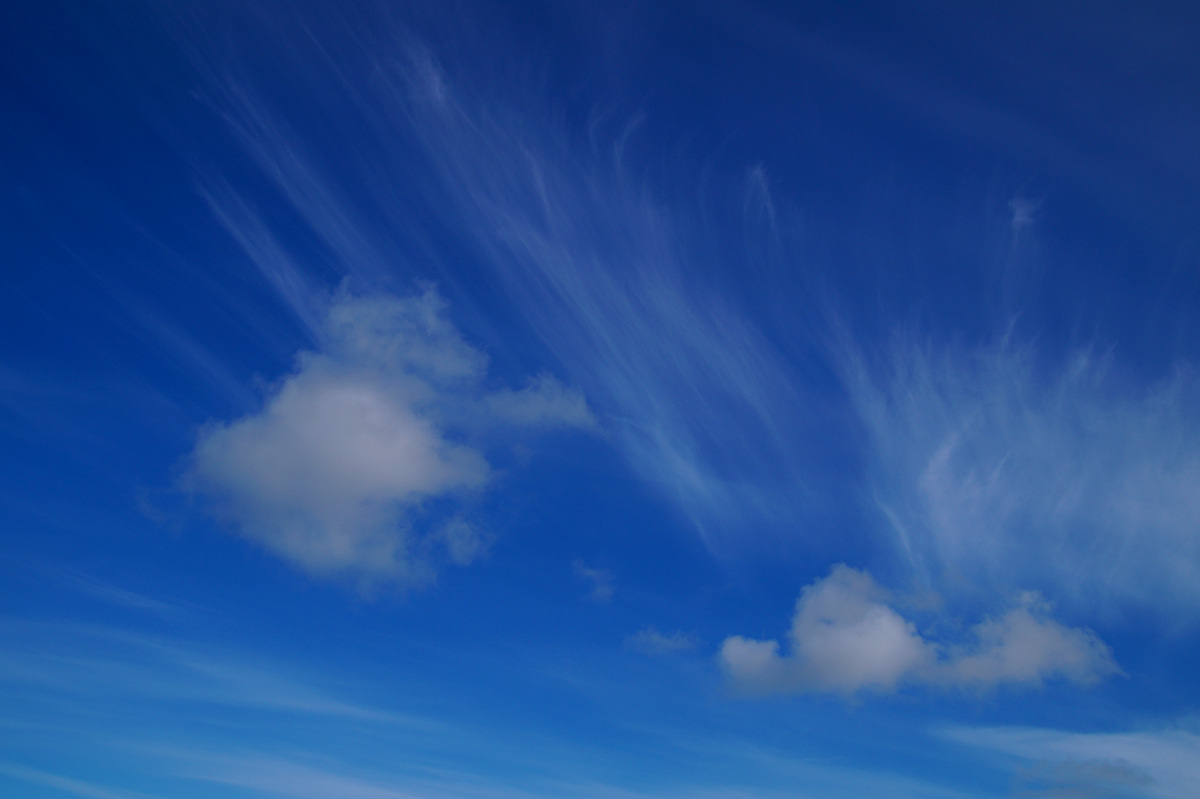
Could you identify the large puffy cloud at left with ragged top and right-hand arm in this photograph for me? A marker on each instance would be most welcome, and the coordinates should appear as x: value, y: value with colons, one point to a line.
x: 338, y: 470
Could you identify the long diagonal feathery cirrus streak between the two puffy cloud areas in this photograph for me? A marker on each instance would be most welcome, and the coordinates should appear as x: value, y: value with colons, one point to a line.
x: 704, y: 405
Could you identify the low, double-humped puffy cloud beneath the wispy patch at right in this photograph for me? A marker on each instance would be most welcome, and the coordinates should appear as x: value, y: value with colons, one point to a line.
x: 848, y: 638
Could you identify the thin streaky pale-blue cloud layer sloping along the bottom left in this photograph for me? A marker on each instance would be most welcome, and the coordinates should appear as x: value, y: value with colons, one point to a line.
x: 183, y: 717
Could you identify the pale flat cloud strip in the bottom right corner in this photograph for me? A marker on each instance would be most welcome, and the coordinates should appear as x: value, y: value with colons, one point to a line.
x: 1155, y: 764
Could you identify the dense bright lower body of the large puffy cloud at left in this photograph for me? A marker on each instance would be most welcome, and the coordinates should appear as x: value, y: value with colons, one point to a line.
x: 323, y: 473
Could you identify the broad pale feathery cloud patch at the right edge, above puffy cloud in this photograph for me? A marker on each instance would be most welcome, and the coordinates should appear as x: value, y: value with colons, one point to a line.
x: 994, y: 468
